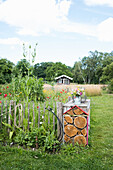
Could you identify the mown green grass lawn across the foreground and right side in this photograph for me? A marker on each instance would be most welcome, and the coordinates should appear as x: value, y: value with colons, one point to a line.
x: 98, y: 155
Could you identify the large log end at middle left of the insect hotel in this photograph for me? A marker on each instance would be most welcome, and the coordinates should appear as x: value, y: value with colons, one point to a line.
x: 70, y: 130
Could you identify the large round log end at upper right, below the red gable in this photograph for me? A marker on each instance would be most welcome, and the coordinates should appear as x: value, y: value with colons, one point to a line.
x: 80, y: 122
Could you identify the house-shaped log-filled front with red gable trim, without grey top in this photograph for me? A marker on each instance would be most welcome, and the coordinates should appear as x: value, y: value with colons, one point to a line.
x: 75, y: 123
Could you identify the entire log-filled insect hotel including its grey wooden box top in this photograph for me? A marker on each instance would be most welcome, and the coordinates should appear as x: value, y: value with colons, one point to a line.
x: 76, y: 122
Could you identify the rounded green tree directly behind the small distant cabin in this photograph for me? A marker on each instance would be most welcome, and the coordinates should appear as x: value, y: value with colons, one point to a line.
x: 57, y: 69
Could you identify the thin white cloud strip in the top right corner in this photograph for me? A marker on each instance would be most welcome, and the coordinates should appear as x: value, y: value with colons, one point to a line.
x: 99, y: 2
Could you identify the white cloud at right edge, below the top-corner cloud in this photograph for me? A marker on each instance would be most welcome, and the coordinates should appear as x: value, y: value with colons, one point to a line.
x: 105, y: 30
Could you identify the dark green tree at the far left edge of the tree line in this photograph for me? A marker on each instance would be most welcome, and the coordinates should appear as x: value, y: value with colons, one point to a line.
x: 6, y: 70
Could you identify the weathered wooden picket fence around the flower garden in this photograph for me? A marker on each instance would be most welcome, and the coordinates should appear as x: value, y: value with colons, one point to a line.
x: 17, y: 114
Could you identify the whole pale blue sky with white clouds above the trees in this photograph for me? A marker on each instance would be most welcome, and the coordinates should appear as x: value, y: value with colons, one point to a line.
x: 65, y: 30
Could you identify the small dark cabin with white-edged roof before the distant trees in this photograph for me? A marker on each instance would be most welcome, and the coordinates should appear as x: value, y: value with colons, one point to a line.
x: 63, y: 79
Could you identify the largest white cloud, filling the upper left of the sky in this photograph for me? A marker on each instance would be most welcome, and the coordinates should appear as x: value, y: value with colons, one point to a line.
x: 34, y: 16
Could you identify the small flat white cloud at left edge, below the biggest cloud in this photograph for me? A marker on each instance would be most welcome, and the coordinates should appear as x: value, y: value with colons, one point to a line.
x: 11, y: 41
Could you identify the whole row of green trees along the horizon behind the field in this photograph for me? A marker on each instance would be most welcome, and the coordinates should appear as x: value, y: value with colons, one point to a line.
x: 93, y: 69
